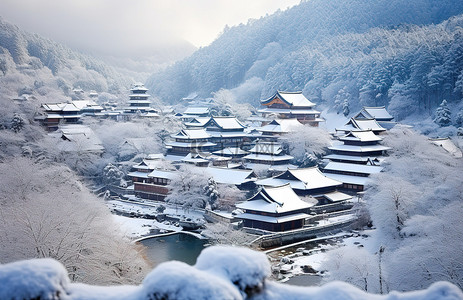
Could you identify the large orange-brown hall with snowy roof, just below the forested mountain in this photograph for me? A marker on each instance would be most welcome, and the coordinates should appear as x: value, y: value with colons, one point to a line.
x: 288, y: 105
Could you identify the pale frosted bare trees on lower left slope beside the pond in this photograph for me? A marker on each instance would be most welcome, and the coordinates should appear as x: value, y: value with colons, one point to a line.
x: 47, y: 213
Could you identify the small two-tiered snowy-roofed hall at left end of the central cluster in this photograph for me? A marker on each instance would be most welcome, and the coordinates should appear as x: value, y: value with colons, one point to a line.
x: 190, y: 141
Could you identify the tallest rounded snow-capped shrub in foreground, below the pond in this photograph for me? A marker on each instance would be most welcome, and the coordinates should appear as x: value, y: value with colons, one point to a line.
x: 245, y: 268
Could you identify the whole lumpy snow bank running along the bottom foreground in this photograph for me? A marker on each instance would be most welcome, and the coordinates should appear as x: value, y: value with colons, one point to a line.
x: 220, y: 273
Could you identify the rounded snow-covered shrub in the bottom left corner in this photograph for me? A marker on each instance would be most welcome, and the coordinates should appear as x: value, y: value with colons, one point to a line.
x: 34, y: 279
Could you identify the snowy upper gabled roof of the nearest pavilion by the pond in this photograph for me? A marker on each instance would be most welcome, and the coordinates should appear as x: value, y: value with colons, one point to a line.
x: 281, y: 199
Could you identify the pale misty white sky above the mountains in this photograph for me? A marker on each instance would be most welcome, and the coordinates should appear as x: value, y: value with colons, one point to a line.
x: 130, y: 27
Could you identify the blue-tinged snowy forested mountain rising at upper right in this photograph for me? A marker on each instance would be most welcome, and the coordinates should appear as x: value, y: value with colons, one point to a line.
x: 371, y: 52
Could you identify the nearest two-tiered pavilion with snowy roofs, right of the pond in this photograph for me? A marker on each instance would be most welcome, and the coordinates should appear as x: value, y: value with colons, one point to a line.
x: 274, y: 209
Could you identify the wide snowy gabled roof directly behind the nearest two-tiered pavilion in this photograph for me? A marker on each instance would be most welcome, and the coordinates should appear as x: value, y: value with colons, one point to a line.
x: 301, y: 179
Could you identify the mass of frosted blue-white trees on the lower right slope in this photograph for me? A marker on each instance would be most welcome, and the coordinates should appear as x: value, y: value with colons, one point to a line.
x: 415, y: 206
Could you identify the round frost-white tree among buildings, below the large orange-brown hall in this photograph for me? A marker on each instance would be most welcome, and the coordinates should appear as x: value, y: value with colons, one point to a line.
x: 306, y: 144
